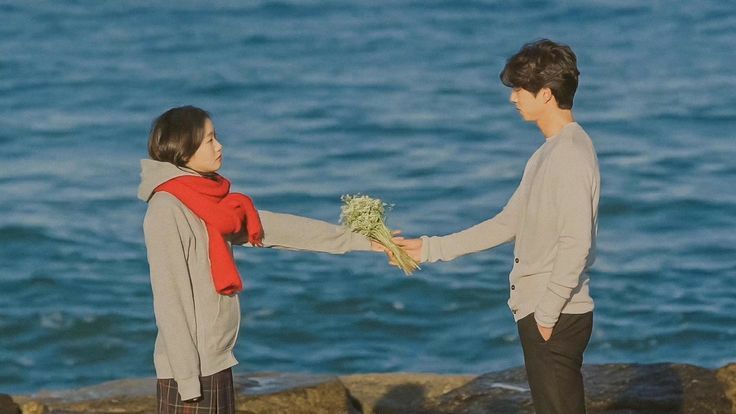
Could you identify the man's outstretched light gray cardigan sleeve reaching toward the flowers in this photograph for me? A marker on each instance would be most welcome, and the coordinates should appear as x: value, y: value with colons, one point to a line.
x: 485, y: 235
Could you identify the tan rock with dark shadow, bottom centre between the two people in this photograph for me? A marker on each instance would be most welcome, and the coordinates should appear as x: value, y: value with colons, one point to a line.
x: 400, y: 392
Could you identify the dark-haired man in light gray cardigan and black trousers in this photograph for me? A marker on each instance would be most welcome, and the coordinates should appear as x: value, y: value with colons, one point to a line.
x: 552, y: 219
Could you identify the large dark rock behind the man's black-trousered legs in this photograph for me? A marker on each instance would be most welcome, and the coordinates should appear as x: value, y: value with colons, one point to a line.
x: 610, y: 389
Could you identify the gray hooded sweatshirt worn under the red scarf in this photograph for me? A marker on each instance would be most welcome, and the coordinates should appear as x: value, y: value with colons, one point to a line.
x: 197, y: 327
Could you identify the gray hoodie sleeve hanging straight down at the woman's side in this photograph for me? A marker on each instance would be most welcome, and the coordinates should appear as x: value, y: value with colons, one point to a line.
x: 167, y: 242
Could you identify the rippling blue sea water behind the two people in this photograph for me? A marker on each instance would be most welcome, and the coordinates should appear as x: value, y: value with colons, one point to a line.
x: 397, y: 99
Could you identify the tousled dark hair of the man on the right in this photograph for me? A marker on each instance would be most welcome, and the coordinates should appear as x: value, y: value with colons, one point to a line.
x: 544, y: 64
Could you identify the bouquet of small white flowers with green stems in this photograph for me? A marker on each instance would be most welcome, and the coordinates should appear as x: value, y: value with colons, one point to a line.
x: 367, y: 216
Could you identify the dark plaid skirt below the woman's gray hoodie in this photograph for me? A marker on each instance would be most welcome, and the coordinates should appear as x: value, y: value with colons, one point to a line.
x: 218, y: 396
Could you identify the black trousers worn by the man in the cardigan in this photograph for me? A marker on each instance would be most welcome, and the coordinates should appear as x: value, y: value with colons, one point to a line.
x: 553, y: 367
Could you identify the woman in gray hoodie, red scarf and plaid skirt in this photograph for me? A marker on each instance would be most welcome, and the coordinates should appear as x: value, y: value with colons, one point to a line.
x: 191, y: 222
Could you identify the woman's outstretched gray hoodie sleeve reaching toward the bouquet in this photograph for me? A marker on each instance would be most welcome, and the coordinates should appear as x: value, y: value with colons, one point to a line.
x: 292, y: 232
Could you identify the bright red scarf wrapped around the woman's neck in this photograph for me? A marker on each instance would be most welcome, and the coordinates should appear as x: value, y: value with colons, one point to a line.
x: 224, y: 213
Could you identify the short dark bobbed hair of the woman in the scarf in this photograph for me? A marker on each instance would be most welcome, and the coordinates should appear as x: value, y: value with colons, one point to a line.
x: 177, y: 134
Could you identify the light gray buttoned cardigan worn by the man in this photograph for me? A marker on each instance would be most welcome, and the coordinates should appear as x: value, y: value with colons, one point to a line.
x: 552, y: 218
